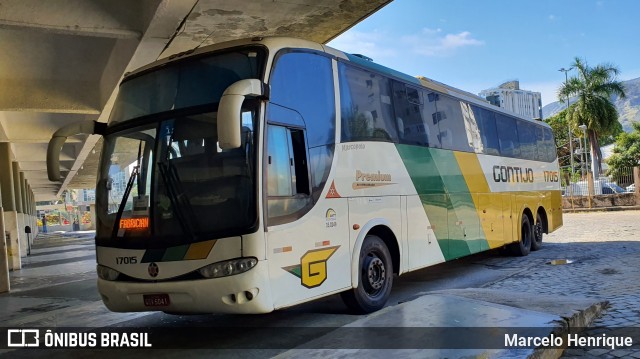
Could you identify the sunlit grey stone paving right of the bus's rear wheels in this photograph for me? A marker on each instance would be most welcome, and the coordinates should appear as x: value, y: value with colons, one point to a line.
x: 605, y: 250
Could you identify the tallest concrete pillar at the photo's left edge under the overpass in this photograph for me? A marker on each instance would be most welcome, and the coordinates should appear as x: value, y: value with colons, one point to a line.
x: 9, y: 206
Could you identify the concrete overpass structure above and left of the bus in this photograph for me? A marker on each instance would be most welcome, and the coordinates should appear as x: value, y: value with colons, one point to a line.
x: 62, y: 60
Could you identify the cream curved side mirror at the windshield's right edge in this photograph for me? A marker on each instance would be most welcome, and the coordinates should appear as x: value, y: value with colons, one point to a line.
x: 230, y: 108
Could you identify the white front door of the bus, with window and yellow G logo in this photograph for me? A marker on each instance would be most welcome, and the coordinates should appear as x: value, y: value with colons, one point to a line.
x: 307, y: 242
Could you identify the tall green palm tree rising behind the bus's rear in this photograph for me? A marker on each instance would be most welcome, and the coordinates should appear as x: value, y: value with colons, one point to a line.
x: 593, y: 88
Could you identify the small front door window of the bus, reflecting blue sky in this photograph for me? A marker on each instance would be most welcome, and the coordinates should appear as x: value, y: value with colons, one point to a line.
x: 288, y: 187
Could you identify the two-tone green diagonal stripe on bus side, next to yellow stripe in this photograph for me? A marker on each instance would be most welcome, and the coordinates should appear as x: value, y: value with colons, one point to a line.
x: 445, y: 197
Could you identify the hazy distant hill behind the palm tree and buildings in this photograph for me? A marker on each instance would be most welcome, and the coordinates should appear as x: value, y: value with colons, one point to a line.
x: 628, y: 108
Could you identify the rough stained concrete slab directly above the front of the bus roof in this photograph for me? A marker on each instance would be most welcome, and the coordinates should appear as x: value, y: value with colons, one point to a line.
x: 214, y: 21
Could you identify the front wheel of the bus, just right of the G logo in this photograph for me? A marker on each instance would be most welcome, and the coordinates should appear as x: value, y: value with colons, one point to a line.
x: 376, y: 278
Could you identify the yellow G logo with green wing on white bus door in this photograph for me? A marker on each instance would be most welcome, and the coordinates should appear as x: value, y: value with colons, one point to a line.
x: 312, y: 269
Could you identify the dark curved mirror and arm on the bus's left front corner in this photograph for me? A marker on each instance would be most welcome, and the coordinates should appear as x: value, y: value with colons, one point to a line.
x: 60, y: 137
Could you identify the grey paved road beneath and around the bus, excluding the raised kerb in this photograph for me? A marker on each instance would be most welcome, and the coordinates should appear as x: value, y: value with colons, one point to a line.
x: 603, y: 247
